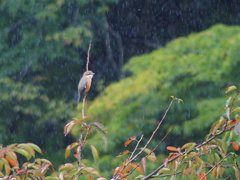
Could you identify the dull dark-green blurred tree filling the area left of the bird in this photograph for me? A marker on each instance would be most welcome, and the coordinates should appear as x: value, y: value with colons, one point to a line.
x: 43, y: 48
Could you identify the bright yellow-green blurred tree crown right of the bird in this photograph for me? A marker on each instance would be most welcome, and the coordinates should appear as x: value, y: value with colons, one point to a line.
x: 195, y: 68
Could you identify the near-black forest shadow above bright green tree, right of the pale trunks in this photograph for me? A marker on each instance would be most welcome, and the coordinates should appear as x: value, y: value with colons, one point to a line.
x: 145, y: 25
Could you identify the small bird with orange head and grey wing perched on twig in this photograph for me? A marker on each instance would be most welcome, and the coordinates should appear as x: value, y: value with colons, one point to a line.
x: 84, y: 84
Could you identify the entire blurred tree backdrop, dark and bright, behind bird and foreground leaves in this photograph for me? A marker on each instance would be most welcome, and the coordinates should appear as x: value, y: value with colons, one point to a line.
x: 43, y: 50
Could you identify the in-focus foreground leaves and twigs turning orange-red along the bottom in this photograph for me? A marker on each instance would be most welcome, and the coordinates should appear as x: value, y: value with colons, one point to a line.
x: 193, y: 160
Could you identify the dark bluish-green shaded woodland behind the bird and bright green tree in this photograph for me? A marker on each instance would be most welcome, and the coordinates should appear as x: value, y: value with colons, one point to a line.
x: 43, y: 47
